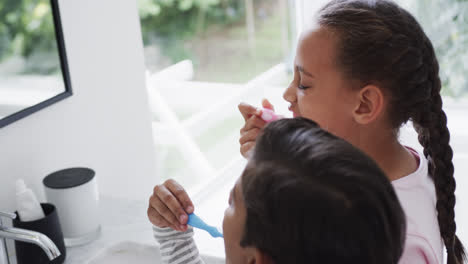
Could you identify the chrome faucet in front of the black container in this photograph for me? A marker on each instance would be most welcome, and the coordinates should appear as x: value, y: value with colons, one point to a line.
x: 28, y: 236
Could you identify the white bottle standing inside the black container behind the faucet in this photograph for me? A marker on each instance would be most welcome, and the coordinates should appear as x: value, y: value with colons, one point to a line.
x: 29, y: 209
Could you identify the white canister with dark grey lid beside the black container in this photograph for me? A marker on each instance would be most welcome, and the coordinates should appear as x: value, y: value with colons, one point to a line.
x: 74, y: 193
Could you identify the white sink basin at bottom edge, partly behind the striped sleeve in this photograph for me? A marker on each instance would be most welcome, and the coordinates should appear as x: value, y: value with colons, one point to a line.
x: 136, y: 253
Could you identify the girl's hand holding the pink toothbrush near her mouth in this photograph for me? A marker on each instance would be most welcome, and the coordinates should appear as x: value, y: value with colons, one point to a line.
x: 253, y: 125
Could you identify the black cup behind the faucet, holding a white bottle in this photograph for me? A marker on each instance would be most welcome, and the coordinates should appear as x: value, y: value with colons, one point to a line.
x: 27, y: 253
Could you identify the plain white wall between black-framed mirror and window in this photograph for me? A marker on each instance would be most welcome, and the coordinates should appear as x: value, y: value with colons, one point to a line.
x: 105, y: 125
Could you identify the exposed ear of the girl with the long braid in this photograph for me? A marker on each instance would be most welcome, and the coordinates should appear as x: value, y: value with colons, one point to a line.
x: 369, y: 106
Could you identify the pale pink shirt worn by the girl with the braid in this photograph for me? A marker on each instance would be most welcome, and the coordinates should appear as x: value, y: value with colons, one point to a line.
x: 417, y: 196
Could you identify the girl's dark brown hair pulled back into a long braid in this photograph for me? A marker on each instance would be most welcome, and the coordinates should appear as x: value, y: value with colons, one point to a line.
x: 381, y: 43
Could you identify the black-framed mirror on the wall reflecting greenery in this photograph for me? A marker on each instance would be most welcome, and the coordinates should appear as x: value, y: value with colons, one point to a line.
x: 33, y: 66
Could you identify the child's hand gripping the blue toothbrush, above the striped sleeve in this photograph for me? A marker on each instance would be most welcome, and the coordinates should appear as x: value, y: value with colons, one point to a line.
x: 169, y: 206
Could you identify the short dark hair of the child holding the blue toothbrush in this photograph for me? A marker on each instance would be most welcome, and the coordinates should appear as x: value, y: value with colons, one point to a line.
x: 312, y: 197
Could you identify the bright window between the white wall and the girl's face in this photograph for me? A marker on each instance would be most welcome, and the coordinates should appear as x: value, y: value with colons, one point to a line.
x: 203, y: 58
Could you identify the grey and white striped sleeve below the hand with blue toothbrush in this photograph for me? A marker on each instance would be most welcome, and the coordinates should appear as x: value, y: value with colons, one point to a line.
x: 177, y: 247
